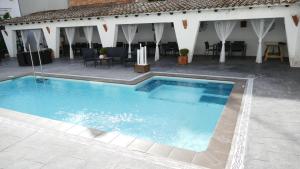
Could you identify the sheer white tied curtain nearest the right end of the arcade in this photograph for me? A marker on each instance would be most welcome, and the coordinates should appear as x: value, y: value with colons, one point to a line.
x: 261, y: 28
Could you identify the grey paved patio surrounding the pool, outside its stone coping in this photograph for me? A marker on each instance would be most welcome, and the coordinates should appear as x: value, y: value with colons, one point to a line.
x: 273, y: 138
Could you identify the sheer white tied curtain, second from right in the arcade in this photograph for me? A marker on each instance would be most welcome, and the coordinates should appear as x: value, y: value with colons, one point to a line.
x: 224, y: 29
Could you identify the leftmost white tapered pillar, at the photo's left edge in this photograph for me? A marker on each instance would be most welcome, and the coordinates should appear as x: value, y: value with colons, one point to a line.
x: 10, y: 40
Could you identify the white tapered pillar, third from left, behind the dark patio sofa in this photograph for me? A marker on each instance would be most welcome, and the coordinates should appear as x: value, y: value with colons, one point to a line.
x: 108, y: 33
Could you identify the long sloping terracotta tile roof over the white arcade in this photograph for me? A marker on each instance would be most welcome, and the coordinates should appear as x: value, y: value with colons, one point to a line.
x: 142, y: 7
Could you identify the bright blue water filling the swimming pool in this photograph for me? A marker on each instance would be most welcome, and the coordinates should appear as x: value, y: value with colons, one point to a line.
x: 173, y: 111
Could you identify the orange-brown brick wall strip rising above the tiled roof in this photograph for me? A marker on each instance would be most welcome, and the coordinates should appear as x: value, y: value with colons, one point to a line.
x: 89, y: 2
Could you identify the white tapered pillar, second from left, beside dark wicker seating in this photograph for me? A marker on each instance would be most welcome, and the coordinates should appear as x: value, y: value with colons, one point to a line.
x: 52, y: 36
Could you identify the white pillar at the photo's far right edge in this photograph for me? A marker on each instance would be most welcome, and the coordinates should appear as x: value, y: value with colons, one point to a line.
x: 293, y: 40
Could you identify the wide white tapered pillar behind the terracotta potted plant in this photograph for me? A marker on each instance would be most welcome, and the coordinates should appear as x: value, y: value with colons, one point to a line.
x: 187, y: 37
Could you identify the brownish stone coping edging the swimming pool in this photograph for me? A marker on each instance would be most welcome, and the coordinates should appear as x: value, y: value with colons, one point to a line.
x: 217, y: 155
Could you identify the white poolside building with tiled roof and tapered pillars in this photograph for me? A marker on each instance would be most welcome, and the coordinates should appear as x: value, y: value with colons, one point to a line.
x: 188, y: 23
